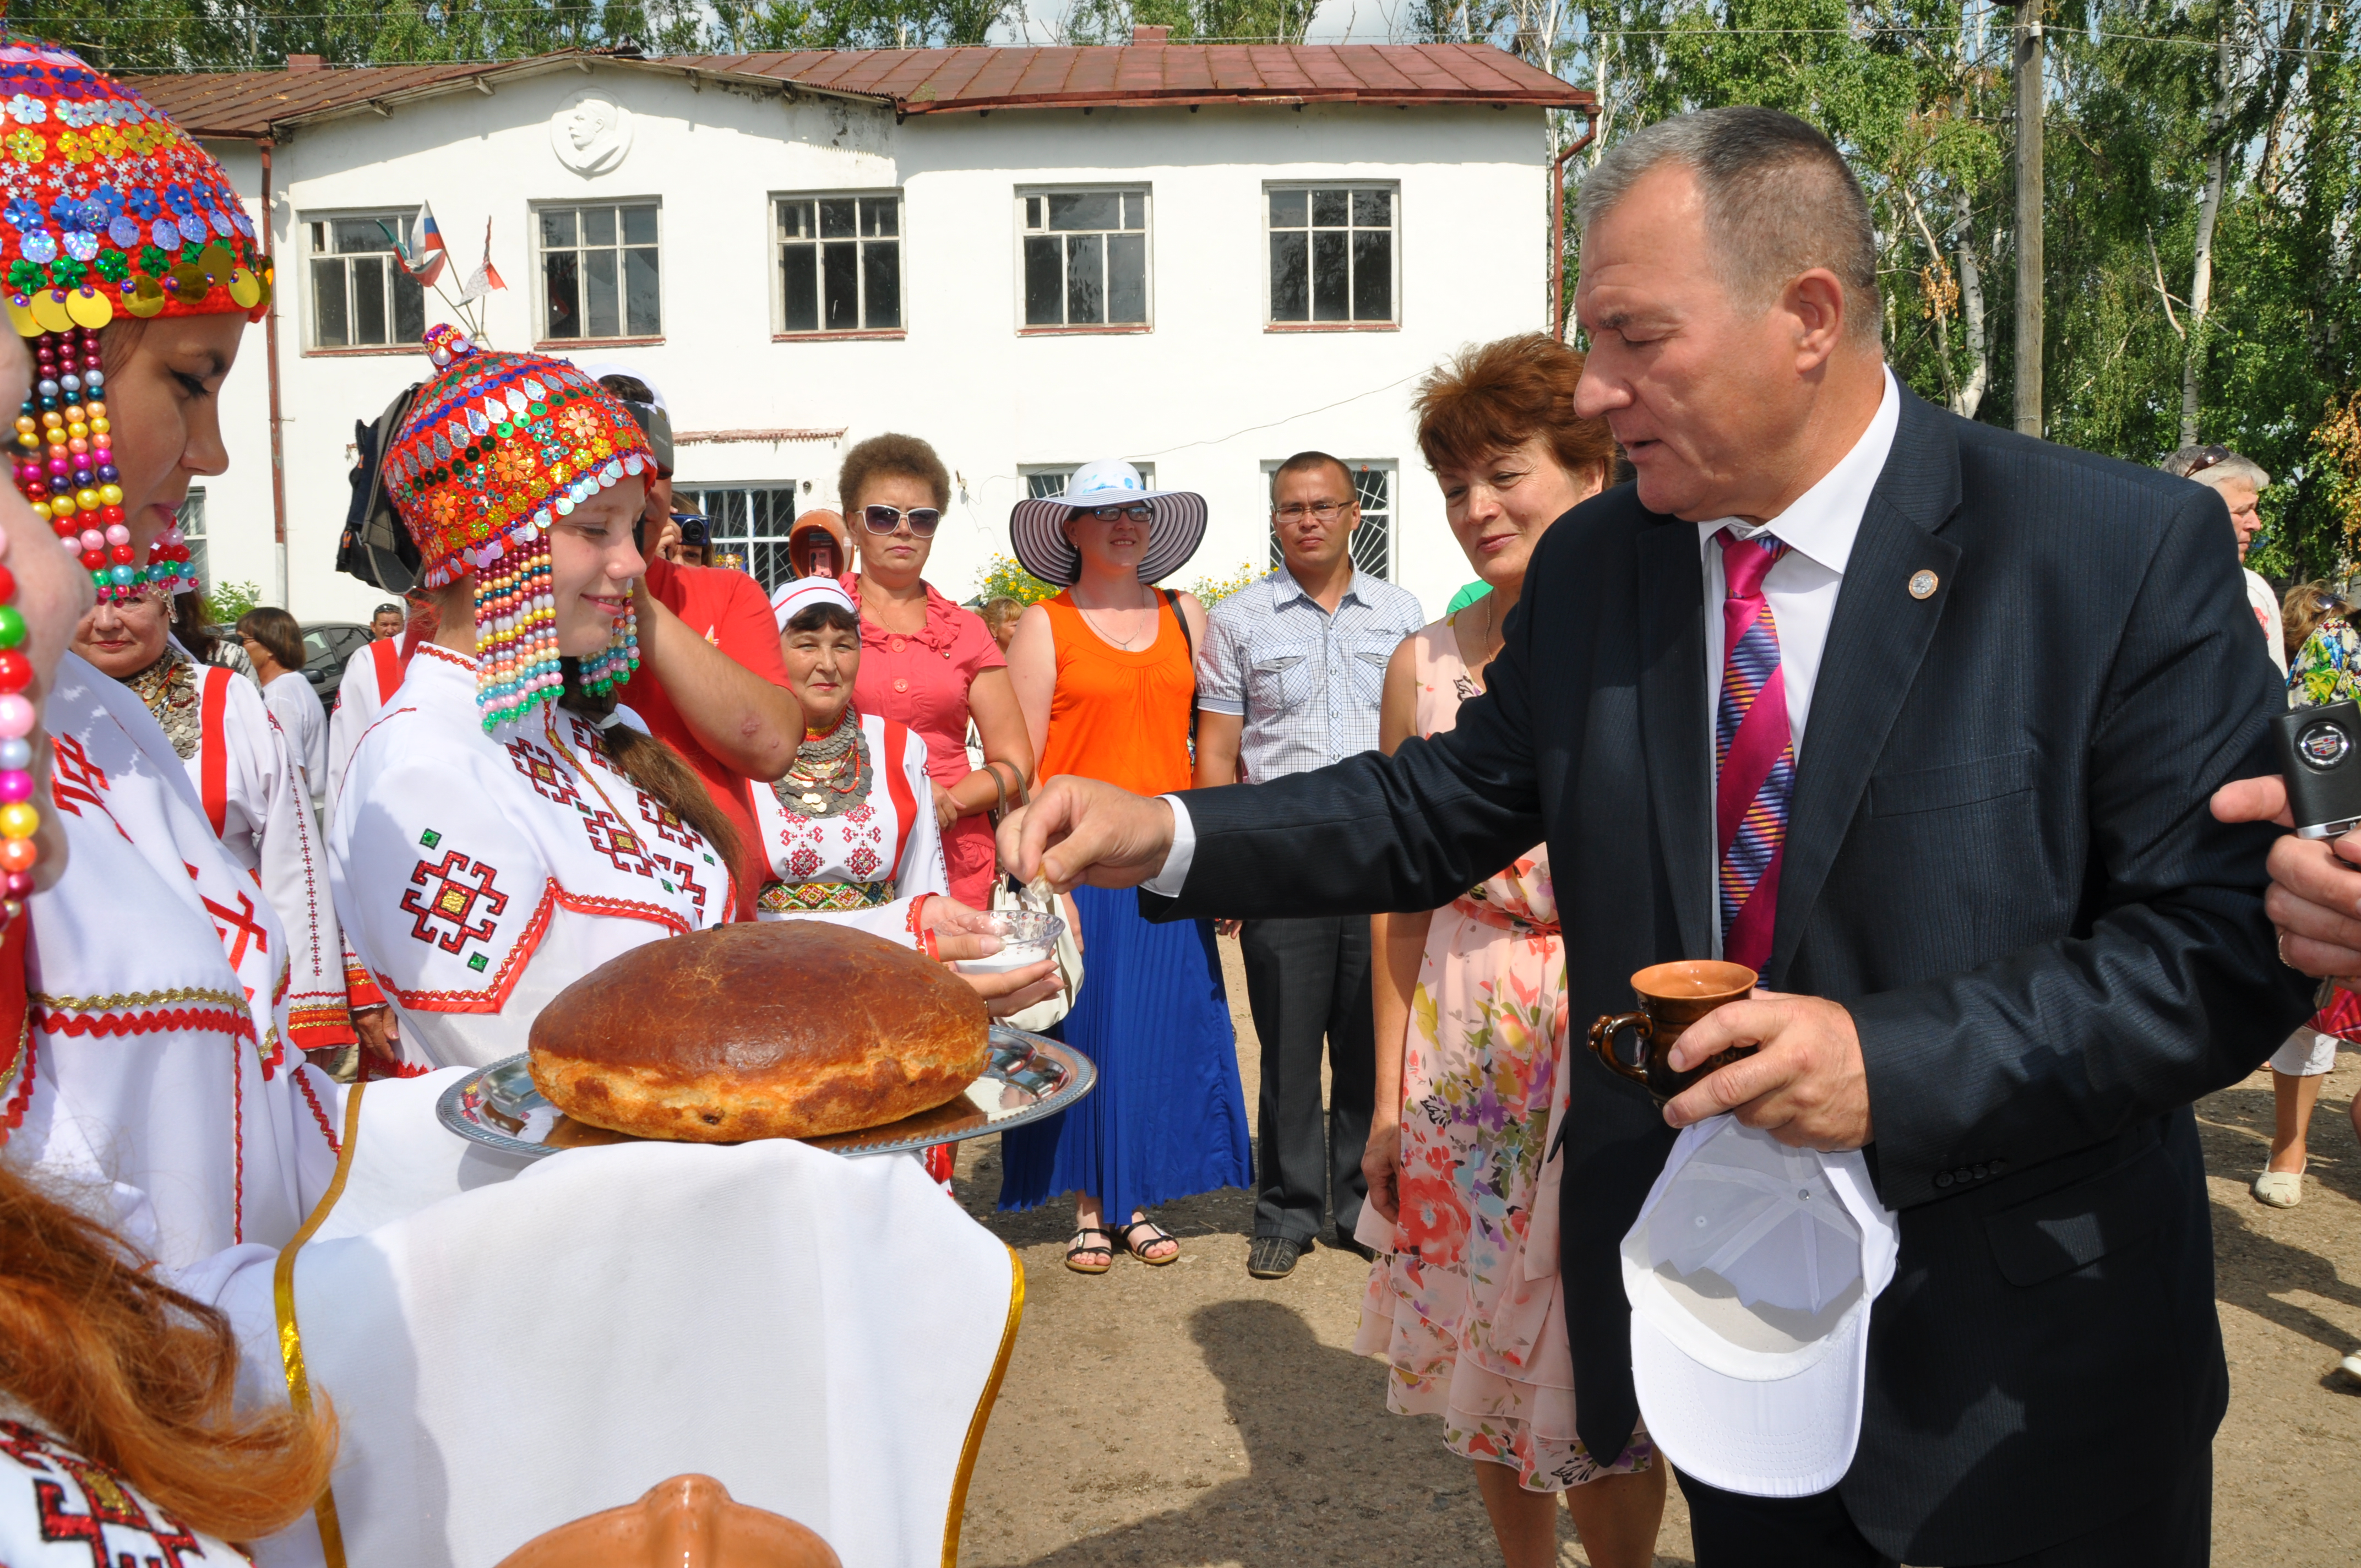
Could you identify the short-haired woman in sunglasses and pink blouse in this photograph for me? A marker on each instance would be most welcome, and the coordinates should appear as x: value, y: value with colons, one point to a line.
x: 927, y: 662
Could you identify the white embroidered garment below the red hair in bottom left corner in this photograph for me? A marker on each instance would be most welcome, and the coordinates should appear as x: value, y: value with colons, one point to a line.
x: 60, y: 1510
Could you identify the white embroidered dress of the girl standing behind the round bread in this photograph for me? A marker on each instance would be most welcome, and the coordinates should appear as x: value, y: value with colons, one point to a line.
x: 480, y: 875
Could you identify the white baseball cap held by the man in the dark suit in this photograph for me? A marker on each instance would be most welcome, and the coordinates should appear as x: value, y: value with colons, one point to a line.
x: 1751, y: 1276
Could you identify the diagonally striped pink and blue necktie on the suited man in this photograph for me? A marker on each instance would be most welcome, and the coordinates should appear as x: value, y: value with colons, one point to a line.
x: 1753, y: 754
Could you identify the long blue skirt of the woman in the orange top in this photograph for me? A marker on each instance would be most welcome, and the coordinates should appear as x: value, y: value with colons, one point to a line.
x: 1168, y: 1118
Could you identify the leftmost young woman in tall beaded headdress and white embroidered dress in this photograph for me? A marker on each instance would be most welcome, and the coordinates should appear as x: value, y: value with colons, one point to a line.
x: 157, y: 1057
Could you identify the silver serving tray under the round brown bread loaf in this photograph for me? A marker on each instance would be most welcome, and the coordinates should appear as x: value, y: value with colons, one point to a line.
x: 1028, y: 1078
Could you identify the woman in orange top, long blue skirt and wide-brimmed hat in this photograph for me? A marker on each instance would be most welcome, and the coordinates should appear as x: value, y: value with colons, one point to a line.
x: 1106, y: 679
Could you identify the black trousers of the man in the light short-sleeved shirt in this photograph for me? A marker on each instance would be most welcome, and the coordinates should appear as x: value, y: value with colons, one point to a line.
x: 1309, y: 986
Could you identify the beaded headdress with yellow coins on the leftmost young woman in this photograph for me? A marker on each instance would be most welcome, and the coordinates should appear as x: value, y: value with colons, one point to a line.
x: 107, y: 211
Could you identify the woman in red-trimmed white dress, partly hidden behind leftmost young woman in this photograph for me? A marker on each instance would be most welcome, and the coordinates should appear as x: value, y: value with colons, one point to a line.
x: 249, y: 783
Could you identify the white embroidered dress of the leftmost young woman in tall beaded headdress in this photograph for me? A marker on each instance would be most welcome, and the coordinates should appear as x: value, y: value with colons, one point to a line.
x: 157, y: 1052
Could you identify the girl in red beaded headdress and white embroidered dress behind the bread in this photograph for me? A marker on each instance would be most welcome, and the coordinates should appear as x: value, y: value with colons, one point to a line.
x: 504, y: 828
